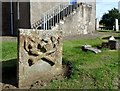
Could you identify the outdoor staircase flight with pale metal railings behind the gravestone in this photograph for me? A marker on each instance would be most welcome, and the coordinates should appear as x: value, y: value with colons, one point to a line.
x: 55, y: 15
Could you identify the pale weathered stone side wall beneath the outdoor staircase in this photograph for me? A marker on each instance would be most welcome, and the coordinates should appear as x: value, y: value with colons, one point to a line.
x: 80, y: 22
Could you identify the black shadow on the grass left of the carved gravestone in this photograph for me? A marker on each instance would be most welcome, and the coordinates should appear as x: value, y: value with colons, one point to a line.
x: 9, y: 72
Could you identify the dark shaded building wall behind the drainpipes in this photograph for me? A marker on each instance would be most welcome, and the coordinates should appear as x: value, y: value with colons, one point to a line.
x: 22, y: 22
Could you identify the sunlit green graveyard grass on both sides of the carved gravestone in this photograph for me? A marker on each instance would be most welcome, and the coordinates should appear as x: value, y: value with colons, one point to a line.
x: 89, y: 70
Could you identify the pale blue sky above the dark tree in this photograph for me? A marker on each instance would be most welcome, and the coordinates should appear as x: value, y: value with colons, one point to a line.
x: 102, y: 6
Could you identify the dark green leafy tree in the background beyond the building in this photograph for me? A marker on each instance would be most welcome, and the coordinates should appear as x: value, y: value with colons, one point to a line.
x: 108, y: 19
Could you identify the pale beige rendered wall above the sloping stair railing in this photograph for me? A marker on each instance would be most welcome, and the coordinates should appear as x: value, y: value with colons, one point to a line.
x: 37, y: 9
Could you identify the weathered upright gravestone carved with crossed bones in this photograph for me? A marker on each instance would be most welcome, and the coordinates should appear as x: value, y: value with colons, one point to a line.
x: 40, y: 55
